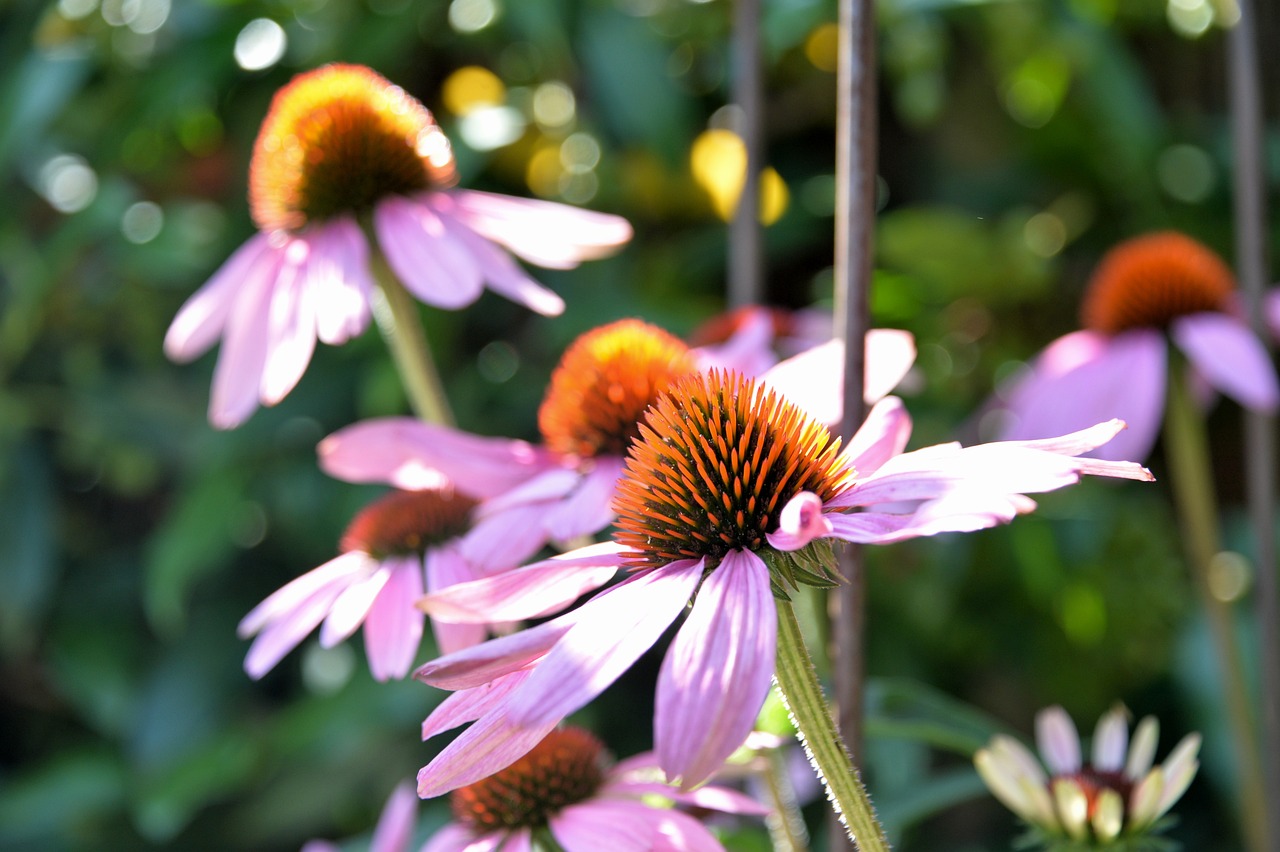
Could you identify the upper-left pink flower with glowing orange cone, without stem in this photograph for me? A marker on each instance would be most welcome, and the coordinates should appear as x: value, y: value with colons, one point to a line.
x: 344, y: 150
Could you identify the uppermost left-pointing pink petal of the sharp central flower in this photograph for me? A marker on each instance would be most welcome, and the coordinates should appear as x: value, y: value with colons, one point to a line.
x: 528, y: 593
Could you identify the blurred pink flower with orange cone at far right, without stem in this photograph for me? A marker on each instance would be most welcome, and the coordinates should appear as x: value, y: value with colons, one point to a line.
x: 1149, y: 288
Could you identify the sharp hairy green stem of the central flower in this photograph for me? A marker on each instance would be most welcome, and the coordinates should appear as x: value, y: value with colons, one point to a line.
x: 798, y: 681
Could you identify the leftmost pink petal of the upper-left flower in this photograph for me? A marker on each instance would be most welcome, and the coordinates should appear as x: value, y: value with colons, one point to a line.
x: 200, y: 322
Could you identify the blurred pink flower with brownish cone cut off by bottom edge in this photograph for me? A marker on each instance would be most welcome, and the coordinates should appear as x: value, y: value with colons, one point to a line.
x: 566, y: 786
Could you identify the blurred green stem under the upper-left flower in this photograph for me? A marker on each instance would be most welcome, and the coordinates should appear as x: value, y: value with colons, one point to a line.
x: 401, y: 327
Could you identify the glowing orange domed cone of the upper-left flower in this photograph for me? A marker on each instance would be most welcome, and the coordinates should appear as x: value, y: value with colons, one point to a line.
x: 337, y: 140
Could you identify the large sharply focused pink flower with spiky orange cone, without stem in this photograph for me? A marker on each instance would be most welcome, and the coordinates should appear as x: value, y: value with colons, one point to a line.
x: 726, y: 501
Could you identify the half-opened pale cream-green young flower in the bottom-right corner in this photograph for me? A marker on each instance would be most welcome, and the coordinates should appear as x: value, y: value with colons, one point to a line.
x: 1116, y: 796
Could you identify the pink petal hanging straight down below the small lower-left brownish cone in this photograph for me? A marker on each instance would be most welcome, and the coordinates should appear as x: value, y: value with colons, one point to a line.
x: 394, y: 629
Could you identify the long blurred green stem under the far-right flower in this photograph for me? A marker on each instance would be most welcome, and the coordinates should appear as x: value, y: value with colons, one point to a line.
x: 1187, y: 452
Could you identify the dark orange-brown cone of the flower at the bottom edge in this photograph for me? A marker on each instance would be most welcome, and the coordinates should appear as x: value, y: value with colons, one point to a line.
x: 564, y: 769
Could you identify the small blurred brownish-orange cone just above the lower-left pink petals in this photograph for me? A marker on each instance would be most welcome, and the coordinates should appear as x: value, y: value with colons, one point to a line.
x: 408, y: 523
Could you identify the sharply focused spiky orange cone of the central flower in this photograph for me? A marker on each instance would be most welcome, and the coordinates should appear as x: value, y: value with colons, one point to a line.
x: 717, y: 461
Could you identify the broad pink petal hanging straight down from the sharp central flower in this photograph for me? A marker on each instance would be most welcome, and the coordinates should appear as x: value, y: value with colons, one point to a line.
x: 717, y: 672
